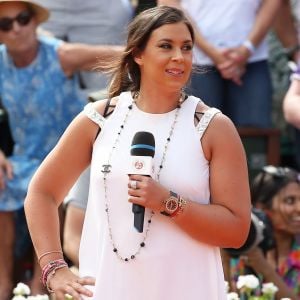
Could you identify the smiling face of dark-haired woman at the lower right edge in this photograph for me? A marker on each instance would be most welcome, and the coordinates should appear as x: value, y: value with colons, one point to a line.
x: 285, y: 211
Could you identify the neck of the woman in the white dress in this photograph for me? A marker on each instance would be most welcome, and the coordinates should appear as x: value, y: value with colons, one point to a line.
x: 157, y: 102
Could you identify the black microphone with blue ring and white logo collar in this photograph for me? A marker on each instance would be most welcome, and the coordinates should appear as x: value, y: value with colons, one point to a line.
x: 142, y: 152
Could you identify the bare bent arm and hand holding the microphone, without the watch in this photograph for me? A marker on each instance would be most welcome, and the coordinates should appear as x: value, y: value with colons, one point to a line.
x: 225, y: 221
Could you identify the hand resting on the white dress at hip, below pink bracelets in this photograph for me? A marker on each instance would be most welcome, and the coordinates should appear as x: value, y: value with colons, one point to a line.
x: 65, y: 282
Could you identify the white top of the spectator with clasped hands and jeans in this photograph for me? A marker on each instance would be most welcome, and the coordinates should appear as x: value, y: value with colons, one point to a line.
x: 224, y: 24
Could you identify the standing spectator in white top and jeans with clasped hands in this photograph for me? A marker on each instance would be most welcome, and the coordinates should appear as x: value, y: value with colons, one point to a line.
x: 231, y: 47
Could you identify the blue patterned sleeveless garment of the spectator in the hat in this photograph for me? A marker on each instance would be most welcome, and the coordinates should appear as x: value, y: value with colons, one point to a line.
x: 40, y: 101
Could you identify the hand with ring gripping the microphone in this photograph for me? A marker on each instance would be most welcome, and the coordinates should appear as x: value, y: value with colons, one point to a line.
x: 145, y: 191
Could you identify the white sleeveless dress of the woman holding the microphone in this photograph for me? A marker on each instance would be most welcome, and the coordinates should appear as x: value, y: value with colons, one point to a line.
x: 172, y: 265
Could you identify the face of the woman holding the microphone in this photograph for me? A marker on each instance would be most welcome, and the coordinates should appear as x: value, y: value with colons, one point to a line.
x: 166, y: 61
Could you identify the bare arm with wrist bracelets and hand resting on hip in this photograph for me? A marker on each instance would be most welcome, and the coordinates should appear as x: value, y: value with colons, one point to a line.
x: 46, y: 191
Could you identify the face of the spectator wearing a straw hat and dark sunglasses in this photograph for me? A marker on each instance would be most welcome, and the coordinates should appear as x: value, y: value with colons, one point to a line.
x: 20, y: 37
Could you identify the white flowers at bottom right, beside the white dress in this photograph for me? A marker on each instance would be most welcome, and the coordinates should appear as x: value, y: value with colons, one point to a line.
x: 250, y: 289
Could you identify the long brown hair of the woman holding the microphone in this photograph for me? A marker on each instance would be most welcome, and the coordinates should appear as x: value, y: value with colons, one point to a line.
x: 125, y: 72
